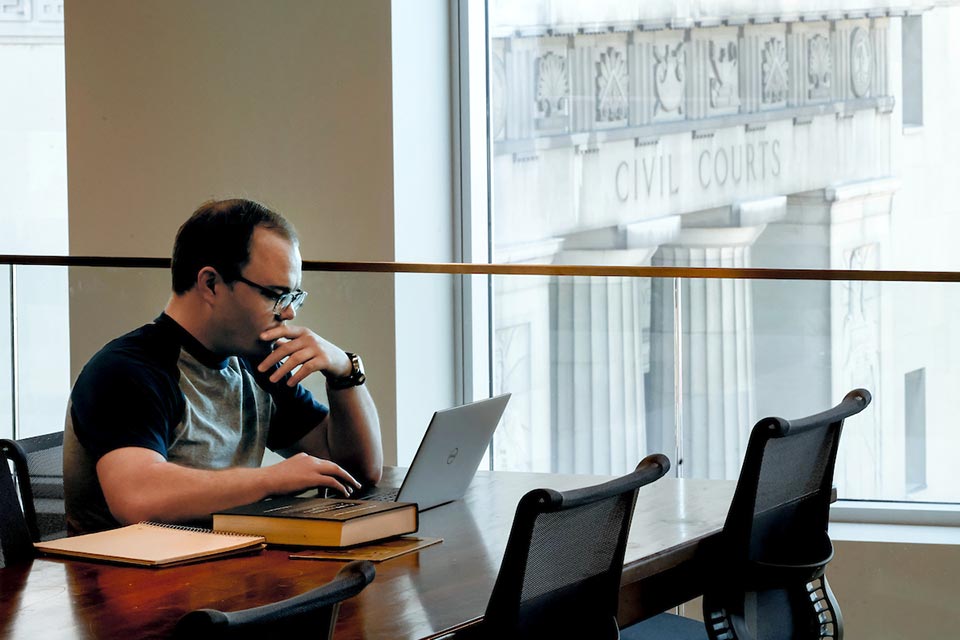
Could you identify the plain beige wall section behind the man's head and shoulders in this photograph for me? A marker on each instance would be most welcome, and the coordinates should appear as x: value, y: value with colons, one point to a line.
x: 290, y: 103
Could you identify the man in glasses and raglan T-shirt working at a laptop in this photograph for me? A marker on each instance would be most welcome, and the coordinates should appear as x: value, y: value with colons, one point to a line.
x: 169, y: 422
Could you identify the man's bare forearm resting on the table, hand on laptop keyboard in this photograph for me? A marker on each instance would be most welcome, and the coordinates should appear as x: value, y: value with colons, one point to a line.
x: 139, y: 484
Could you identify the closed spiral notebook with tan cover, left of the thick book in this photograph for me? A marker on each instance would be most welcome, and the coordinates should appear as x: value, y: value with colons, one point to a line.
x: 153, y: 544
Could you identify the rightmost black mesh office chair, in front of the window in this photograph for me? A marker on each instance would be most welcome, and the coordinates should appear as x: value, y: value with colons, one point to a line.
x: 767, y: 580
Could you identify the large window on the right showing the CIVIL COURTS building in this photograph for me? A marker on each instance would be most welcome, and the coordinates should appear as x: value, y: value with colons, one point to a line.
x: 648, y: 134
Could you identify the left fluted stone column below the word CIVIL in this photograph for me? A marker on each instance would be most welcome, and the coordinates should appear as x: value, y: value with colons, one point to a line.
x: 600, y: 329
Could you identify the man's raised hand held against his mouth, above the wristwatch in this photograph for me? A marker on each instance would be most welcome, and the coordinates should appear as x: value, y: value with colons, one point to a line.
x: 301, y: 347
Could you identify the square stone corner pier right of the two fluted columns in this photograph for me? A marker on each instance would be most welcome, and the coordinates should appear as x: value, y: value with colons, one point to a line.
x: 817, y: 340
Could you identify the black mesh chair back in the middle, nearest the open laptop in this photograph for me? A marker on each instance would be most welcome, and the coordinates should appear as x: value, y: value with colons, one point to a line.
x: 561, y: 569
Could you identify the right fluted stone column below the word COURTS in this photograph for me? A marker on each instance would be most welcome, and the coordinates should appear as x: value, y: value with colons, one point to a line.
x: 716, y: 341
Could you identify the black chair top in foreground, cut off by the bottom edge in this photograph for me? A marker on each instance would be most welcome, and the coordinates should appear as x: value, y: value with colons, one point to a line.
x: 315, y: 611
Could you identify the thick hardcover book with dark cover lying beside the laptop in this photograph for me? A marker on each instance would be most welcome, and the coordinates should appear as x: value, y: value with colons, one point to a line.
x: 320, y: 522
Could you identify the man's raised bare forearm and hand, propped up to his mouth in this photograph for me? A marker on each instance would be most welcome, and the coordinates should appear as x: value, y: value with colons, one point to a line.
x: 350, y: 434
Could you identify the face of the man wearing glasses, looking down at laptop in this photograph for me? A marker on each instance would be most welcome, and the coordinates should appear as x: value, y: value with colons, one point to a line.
x: 247, y: 312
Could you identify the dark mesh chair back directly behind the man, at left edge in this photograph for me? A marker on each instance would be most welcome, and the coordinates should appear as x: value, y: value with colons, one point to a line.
x: 38, y: 464
